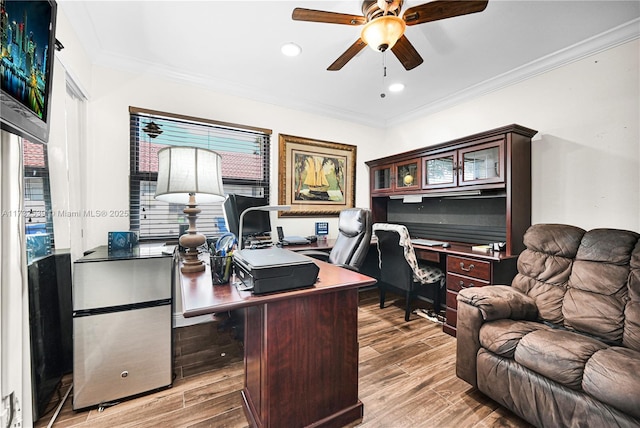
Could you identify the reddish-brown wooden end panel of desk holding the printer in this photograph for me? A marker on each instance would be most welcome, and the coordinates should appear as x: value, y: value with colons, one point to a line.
x: 301, y: 360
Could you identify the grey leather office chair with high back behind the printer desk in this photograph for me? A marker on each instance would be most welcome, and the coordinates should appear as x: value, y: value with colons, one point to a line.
x: 353, y: 241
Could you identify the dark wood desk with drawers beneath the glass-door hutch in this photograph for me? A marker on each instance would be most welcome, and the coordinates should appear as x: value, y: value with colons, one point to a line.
x: 467, y: 268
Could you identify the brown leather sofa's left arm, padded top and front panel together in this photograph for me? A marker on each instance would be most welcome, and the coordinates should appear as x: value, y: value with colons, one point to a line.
x: 478, y: 305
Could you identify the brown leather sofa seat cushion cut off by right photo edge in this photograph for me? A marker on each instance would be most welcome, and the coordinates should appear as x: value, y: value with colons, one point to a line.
x: 612, y: 376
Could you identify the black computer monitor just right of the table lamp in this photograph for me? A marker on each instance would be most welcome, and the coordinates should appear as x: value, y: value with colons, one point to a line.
x: 255, y: 223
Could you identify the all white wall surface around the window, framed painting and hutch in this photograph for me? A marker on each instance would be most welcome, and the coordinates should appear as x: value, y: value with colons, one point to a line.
x: 585, y: 156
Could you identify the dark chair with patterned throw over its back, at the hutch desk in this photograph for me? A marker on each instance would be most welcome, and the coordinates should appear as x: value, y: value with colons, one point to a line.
x: 399, y: 268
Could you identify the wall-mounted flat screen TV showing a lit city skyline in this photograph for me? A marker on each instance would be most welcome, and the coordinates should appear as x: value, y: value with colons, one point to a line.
x: 27, y: 36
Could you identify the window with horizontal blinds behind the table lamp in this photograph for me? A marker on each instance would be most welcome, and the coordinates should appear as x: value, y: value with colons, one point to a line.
x: 245, y: 168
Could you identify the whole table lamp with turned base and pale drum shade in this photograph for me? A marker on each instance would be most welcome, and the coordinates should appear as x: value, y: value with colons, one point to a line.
x: 184, y: 175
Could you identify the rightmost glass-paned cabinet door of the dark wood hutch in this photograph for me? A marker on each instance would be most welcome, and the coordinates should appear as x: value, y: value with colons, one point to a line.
x: 482, y: 164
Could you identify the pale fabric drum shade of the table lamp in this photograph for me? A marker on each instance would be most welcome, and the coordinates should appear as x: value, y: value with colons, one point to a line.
x: 189, y: 170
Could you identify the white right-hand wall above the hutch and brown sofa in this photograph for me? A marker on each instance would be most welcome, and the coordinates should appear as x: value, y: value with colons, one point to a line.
x: 585, y: 157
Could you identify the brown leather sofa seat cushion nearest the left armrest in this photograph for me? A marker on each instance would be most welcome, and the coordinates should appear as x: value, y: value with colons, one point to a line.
x: 503, y: 336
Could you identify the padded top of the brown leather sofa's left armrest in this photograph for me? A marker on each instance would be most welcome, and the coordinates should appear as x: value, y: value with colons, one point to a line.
x: 500, y: 301
